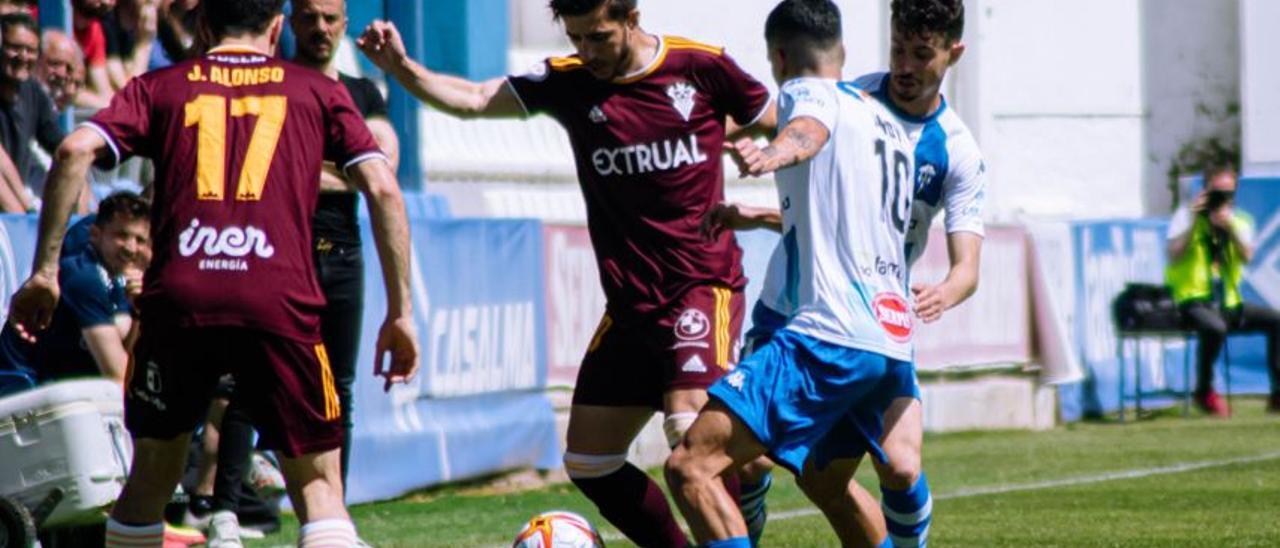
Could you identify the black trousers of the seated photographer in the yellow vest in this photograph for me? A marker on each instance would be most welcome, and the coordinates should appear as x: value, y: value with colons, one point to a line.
x: 1213, y: 326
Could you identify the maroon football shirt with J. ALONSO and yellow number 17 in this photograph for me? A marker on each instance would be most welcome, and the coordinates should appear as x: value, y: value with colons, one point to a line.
x: 239, y: 139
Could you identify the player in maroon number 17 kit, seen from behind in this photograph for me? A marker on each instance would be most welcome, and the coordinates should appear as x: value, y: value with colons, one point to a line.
x: 239, y: 140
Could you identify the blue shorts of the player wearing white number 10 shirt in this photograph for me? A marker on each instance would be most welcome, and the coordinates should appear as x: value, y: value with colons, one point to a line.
x: 806, y: 399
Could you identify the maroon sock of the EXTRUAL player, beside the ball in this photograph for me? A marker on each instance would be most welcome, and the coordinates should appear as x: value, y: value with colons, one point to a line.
x: 637, y: 506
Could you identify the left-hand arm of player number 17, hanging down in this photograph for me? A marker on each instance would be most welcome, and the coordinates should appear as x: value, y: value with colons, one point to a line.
x: 33, y: 307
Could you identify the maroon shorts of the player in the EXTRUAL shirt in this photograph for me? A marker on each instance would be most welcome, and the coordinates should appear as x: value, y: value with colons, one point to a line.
x: 691, y: 345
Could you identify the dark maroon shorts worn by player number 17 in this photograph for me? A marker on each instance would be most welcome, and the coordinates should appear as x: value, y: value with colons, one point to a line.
x: 287, y: 385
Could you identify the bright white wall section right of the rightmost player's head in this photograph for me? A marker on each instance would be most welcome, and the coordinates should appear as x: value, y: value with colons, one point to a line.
x: 1060, y: 118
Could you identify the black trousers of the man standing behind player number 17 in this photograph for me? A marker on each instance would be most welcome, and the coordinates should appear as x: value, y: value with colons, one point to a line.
x: 341, y: 271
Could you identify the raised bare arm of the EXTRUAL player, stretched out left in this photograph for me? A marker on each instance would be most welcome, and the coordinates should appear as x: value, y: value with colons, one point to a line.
x: 382, y: 44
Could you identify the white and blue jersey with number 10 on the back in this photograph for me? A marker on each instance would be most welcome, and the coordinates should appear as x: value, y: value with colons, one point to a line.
x: 845, y: 214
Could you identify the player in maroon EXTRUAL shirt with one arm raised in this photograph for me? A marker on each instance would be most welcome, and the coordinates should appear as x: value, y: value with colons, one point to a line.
x: 647, y: 117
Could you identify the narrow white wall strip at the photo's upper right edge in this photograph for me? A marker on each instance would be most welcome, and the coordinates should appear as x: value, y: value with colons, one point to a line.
x: 1260, y: 57
